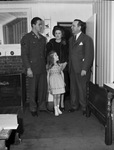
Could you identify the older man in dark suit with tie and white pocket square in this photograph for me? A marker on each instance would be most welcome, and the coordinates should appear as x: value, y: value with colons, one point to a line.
x: 81, y: 54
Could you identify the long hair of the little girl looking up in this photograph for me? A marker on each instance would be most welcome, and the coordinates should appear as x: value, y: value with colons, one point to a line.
x: 50, y: 59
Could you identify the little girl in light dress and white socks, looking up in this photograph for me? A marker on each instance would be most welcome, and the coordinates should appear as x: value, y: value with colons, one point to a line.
x: 55, y: 78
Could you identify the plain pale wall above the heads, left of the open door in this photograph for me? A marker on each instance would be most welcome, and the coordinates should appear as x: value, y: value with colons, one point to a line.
x: 62, y: 12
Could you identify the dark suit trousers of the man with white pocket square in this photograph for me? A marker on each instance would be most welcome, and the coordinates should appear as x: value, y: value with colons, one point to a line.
x: 78, y: 85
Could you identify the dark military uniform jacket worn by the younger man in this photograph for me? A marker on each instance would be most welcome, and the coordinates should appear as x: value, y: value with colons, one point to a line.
x: 33, y: 52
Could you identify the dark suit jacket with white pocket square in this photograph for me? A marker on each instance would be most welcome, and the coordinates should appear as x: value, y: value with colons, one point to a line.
x: 81, y: 53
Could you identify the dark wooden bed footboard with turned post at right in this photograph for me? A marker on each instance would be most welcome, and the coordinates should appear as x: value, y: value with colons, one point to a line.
x: 101, y: 104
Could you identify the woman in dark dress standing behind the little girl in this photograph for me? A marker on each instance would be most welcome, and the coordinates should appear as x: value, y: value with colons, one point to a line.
x: 60, y: 46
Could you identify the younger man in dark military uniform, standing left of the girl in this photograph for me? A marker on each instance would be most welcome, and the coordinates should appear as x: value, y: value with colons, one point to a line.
x: 33, y: 46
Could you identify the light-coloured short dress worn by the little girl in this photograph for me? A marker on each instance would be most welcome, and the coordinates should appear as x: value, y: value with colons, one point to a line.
x: 56, y: 80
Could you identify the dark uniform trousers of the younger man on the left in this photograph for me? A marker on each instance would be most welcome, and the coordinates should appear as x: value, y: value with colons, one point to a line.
x: 38, y: 92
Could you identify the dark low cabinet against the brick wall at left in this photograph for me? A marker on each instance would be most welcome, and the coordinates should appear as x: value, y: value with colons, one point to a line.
x: 12, y: 90
